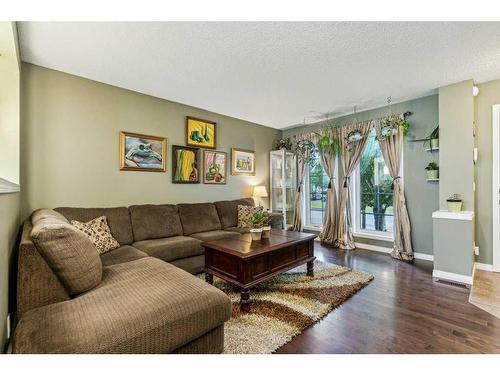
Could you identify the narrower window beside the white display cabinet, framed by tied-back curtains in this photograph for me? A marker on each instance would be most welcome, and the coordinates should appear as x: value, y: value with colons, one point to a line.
x: 316, y: 186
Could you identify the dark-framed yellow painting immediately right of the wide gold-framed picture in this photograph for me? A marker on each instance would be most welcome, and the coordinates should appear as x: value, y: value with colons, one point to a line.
x: 185, y: 165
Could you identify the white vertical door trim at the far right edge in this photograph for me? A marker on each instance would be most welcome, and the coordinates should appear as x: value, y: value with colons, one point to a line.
x: 496, y: 186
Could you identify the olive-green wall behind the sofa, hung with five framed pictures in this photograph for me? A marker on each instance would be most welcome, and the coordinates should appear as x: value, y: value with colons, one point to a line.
x: 70, y: 145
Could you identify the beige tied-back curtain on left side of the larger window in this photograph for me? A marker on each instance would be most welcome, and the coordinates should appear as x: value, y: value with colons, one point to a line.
x: 350, y: 155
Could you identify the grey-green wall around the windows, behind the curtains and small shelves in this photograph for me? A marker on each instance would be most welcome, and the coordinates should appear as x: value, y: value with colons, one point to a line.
x: 421, y: 196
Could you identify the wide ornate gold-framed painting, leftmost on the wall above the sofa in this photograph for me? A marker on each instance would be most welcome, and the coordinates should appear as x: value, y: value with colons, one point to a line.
x: 139, y: 152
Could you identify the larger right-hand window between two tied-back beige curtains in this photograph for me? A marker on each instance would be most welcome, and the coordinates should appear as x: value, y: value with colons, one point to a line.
x: 372, y: 194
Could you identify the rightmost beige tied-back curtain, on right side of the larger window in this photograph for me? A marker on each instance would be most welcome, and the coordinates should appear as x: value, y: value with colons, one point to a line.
x: 392, y: 148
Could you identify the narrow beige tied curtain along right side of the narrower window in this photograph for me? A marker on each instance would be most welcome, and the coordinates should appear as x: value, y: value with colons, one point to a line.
x: 329, y: 232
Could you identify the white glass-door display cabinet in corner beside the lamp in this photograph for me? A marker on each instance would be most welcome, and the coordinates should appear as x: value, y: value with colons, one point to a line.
x: 283, y: 176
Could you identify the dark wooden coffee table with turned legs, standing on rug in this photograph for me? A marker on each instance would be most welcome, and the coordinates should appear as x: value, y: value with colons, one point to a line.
x: 246, y: 263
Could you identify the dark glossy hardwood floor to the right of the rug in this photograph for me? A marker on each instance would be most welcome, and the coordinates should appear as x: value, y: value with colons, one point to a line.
x: 401, y: 311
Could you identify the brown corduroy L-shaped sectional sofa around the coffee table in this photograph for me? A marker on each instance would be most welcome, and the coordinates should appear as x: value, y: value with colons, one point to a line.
x: 148, y: 300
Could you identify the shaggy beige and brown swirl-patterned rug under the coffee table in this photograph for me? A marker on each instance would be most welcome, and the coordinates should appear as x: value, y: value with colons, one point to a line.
x: 285, y: 305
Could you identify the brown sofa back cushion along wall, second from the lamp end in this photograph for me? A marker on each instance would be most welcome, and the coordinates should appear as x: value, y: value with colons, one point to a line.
x: 198, y: 217
